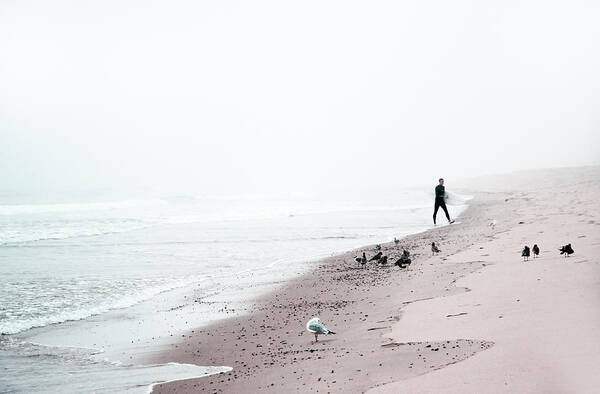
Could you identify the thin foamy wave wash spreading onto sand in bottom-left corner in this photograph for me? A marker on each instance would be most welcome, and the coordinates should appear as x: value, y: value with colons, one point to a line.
x: 77, y: 370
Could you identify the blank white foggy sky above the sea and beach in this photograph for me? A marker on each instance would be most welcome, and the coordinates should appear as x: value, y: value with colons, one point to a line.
x: 272, y: 95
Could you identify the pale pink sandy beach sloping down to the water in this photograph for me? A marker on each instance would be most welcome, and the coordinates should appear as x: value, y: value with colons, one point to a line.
x: 474, y: 318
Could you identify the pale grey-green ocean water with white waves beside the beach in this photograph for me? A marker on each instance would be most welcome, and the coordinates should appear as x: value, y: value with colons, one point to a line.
x: 86, y: 285
